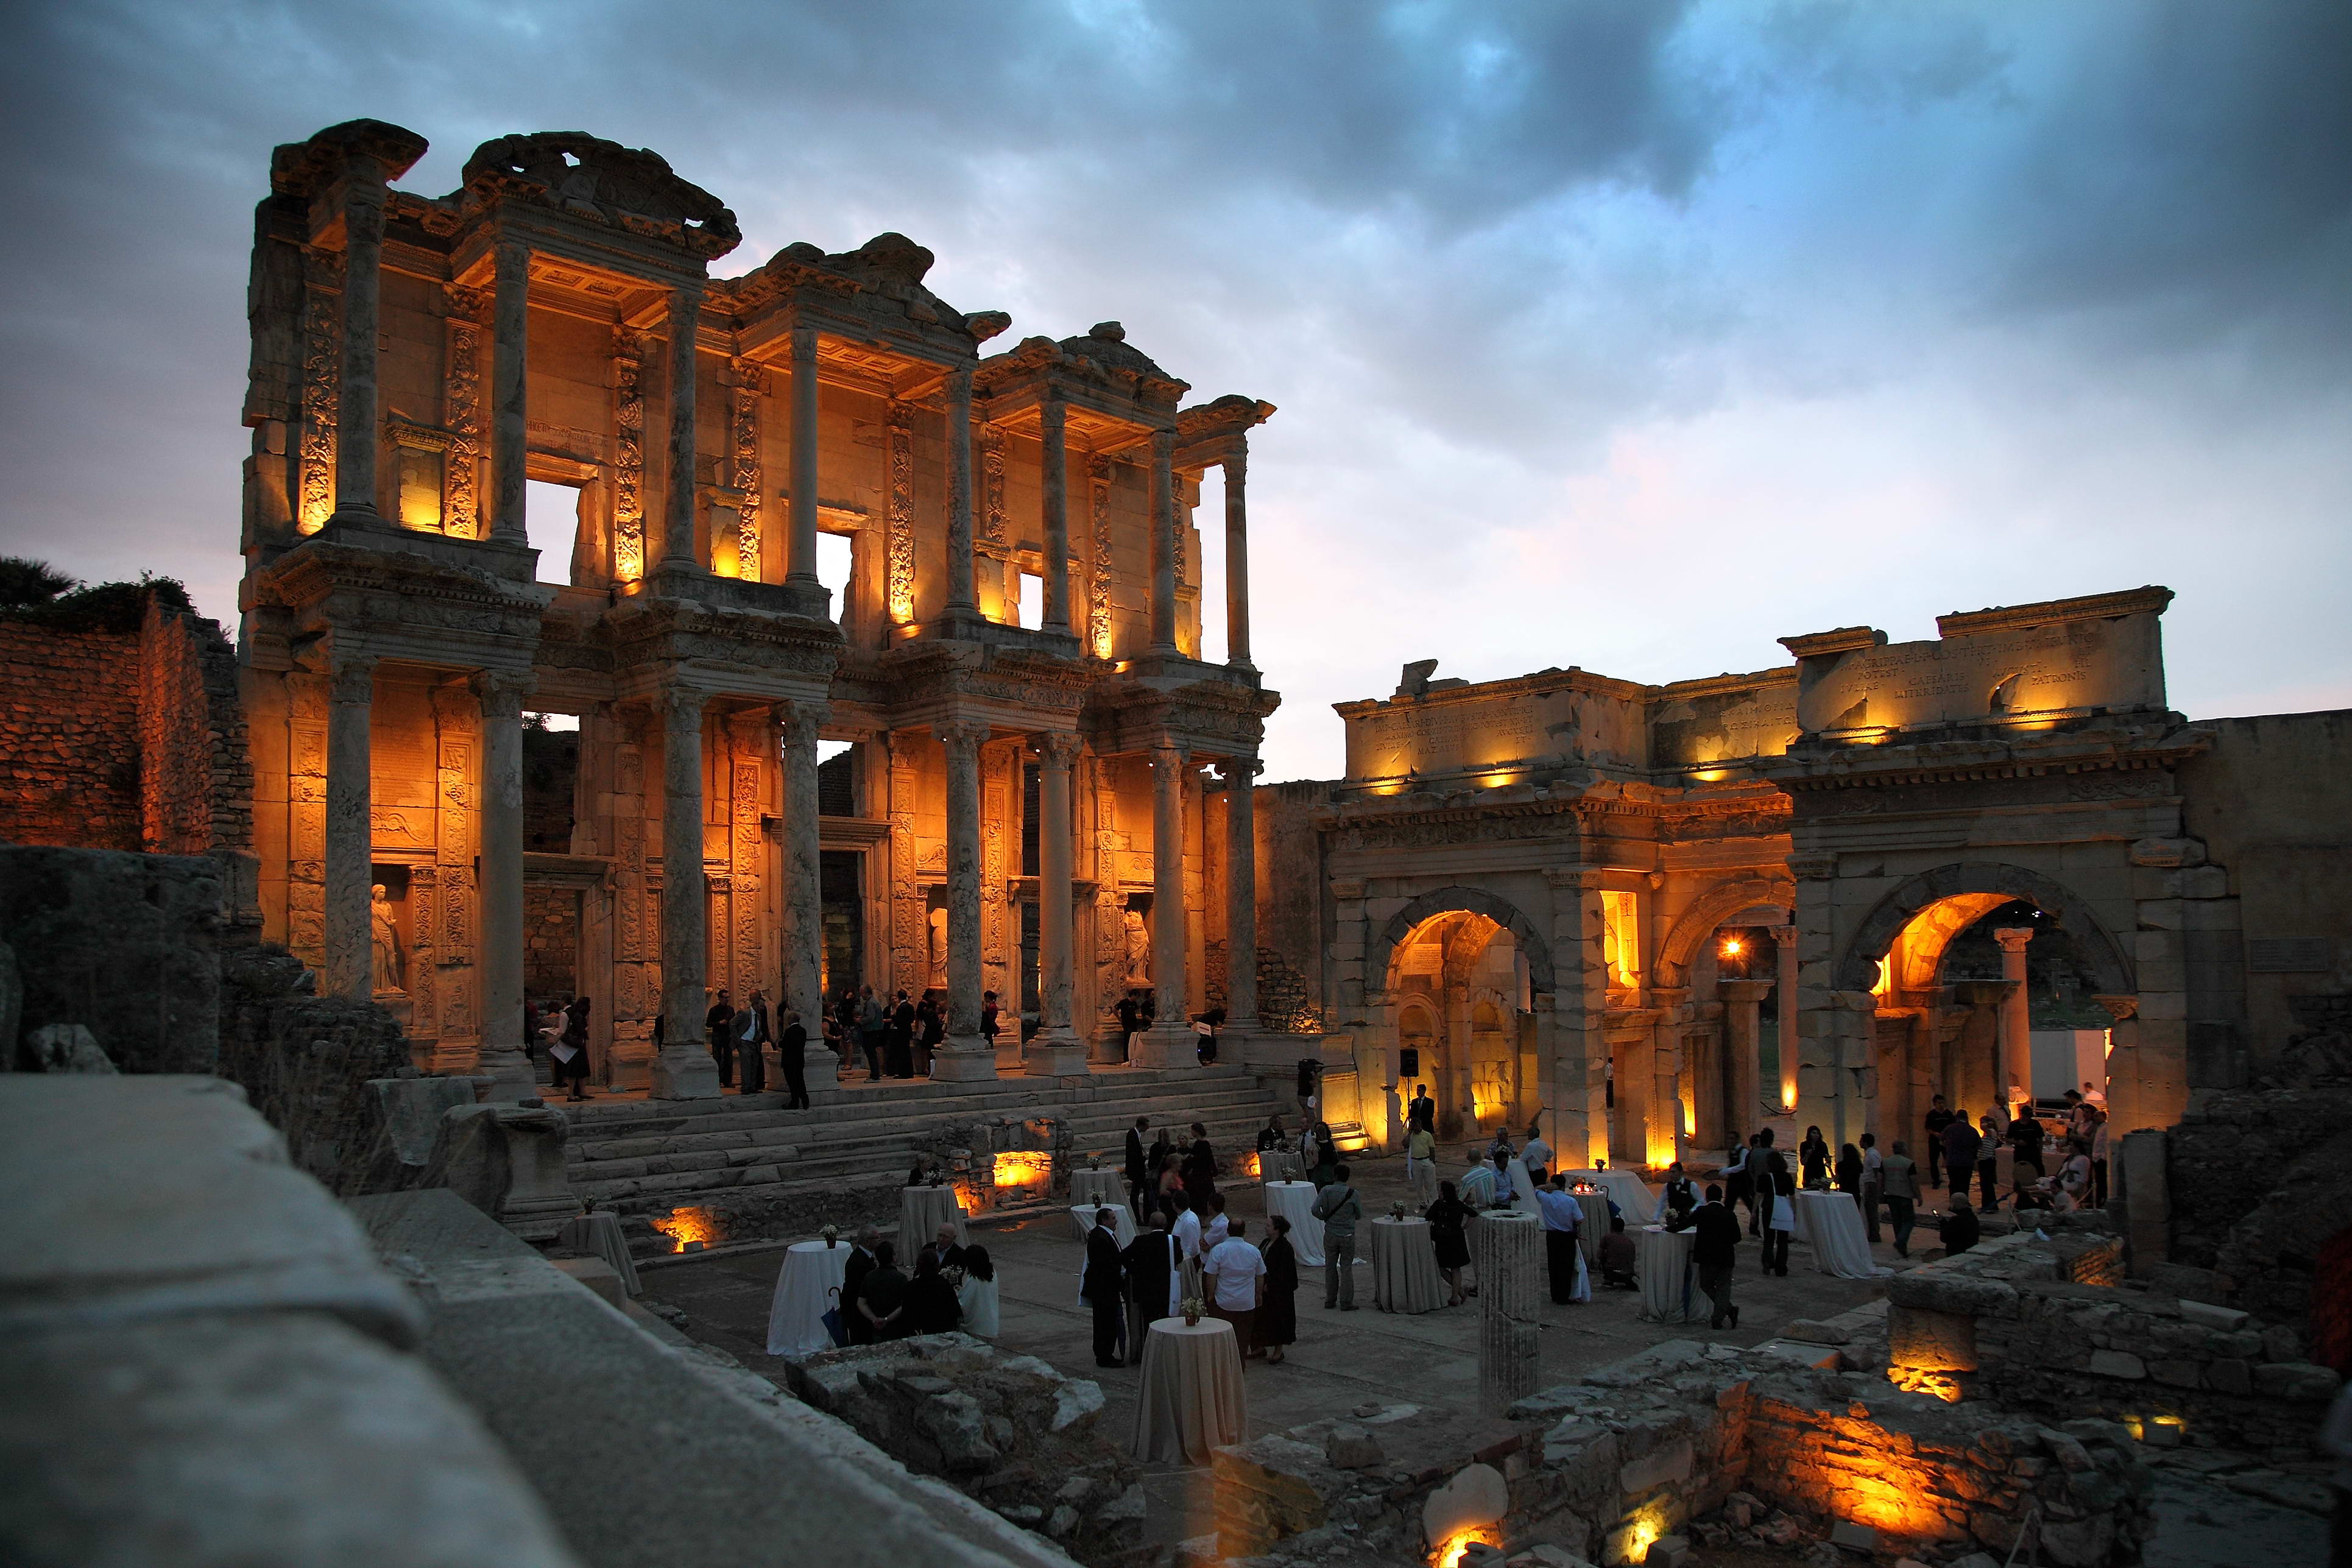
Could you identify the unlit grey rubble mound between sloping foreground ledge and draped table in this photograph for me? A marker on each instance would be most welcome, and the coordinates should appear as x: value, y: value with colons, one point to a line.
x: 1008, y: 1430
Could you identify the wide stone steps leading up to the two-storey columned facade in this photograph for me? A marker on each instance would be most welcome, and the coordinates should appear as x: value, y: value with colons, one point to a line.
x: 775, y: 1170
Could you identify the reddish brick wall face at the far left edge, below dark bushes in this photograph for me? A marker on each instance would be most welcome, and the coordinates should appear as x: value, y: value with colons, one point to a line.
x: 69, y: 737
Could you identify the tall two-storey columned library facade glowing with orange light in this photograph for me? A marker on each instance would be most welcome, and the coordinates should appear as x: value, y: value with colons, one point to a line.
x: 1024, y: 810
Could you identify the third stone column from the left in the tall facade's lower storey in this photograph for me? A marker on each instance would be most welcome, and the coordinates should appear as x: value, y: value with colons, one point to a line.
x: 683, y: 1071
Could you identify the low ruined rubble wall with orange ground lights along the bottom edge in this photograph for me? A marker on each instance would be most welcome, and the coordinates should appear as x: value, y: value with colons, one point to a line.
x: 1739, y: 1449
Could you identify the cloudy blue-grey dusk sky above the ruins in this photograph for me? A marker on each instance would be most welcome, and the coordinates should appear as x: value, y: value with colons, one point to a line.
x: 1610, y: 335
